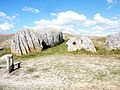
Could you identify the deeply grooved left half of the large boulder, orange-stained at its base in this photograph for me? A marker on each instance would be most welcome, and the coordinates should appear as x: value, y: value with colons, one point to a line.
x: 25, y: 42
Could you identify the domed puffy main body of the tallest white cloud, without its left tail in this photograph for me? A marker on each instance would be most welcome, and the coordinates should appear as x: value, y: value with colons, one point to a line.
x: 68, y: 17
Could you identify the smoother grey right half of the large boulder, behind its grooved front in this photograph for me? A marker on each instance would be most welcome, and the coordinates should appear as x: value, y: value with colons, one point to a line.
x: 50, y: 37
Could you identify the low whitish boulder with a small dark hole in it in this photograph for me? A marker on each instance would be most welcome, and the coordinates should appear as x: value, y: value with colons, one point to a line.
x: 82, y: 42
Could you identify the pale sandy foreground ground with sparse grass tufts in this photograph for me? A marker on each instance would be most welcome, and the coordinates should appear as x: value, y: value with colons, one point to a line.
x: 63, y: 73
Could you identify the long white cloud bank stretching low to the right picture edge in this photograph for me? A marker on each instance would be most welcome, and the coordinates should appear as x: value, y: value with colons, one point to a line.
x: 74, y: 22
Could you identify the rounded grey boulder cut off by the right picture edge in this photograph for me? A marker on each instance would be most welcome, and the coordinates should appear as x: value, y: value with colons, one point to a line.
x: 113, y: 41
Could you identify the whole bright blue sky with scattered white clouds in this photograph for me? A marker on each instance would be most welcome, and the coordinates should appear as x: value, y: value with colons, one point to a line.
x: 86, y: 17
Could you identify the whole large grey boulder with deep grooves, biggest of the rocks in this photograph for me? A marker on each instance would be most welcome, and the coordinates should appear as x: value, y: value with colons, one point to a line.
x: 26, y: 41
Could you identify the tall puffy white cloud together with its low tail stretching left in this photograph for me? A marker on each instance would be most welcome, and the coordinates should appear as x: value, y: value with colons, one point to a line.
x: 63, y: 18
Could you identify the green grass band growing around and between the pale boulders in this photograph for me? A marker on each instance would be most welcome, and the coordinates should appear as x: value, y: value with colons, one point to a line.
x: 62, y: 50
